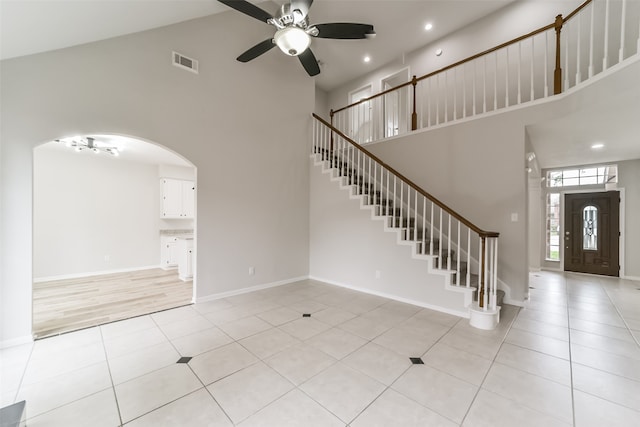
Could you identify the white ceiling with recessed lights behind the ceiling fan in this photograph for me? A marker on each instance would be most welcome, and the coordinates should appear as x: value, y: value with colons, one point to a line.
x: 33, y: 26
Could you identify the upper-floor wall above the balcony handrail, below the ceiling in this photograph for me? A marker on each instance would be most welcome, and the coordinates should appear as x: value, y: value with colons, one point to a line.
x: 514, y: 20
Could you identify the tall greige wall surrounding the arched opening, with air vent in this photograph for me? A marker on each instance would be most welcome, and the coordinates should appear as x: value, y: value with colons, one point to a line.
x: 250, y: 151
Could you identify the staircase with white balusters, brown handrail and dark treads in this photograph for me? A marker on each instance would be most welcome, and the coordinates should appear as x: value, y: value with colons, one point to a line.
x: 435, y: 234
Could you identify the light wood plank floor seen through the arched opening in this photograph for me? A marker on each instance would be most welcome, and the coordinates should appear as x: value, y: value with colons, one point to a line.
x: 67, y: 305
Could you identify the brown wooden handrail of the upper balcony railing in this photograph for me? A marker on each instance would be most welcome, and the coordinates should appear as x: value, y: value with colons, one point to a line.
x: 557, y: 25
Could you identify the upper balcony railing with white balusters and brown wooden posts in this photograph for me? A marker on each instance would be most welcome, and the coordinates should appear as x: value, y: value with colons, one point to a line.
x: 545, y: 62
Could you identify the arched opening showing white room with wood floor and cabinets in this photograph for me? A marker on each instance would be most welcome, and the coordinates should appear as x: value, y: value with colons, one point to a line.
x: 108, y: 242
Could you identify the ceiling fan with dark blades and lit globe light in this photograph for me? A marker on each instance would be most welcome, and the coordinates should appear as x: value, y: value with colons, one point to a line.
x: 293, y: 32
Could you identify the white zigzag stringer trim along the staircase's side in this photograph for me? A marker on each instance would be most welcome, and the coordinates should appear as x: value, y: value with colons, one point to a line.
x: 466, y: 294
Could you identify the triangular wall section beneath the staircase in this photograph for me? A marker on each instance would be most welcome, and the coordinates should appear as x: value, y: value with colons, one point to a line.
x: 348, y: 247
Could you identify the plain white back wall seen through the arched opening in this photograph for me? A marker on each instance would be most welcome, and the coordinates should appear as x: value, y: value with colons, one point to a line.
x: 92, y: 214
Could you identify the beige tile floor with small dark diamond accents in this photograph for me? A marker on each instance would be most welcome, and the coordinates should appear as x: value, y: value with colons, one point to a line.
x: 571, y: 357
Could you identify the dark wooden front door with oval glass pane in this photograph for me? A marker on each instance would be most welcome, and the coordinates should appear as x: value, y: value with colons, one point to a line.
x: 592, y: 232
